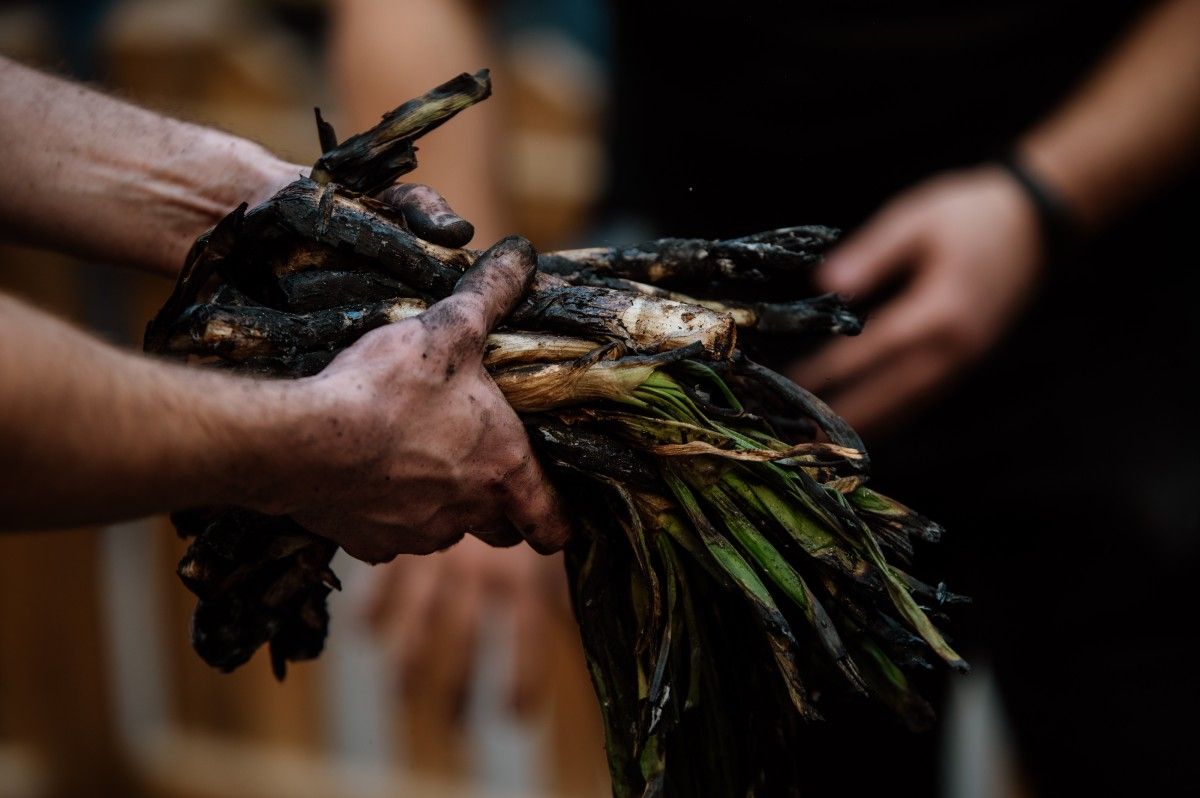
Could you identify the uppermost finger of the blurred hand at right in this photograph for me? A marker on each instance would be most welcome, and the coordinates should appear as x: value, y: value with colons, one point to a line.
x: 869, y: 259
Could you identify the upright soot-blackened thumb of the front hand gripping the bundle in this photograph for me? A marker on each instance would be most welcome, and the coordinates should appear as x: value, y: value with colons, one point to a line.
x: 484, y: 296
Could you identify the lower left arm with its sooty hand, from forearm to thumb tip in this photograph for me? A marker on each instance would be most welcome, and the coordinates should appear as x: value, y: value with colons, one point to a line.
x: 403, y: 445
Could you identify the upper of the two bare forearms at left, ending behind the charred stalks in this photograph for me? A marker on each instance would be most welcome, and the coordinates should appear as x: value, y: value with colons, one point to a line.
x: 107, y: 181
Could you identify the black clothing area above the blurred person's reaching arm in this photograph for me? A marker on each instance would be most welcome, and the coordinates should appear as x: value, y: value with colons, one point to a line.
x: 755, y: 115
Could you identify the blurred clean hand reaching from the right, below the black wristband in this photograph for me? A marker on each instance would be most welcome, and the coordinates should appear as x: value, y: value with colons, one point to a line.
x: 965, y: 250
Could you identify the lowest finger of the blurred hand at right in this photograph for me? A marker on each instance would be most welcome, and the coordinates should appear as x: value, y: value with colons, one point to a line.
x: 896, y: 393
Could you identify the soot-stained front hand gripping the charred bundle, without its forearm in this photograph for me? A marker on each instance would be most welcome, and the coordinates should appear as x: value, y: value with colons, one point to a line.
x: 411, y: 445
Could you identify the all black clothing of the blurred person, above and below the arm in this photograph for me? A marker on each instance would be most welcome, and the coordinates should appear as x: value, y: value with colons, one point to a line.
x: 1067, y: 465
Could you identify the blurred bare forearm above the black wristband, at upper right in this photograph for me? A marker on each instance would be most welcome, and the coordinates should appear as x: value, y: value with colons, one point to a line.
x: 1133, y: 125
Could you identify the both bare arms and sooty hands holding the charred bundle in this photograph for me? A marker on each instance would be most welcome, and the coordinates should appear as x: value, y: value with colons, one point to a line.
x: 403, y: 445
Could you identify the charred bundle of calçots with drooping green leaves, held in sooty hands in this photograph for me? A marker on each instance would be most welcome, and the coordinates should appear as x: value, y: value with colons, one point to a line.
x: 733, y: 569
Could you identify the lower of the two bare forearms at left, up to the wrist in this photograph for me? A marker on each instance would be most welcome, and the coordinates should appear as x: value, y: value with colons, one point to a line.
x: 93, y: 434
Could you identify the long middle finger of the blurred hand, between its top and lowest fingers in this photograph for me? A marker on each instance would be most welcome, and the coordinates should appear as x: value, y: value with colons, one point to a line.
x: 899, y: 326
